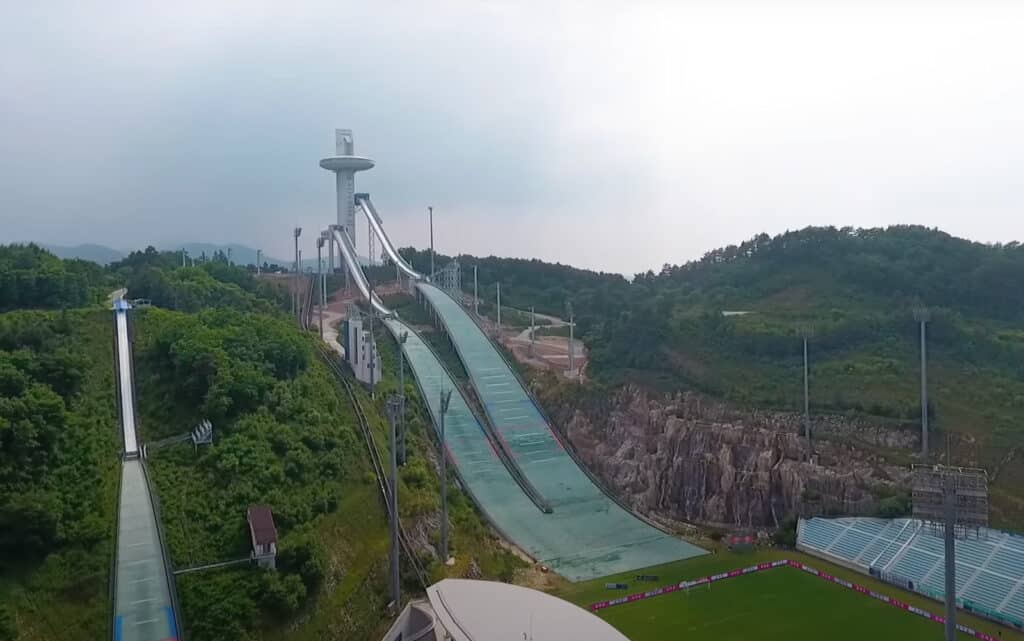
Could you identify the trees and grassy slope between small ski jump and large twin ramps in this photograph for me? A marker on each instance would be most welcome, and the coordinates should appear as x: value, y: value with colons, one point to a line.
x: 286, y: 438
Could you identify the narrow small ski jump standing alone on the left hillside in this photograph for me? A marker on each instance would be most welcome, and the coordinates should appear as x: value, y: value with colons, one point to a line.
x: 144, y: 590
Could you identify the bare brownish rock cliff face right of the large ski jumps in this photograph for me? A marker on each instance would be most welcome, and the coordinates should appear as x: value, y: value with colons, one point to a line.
x: 691, y: 459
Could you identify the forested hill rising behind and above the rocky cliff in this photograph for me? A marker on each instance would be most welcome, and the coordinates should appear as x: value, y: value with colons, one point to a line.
x: 855, y: 292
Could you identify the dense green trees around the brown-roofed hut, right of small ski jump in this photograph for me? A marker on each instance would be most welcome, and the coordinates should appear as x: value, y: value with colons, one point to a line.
x: 282, y: 440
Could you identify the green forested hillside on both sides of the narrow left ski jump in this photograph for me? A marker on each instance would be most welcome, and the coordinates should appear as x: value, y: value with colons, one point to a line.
x: 216, y: 346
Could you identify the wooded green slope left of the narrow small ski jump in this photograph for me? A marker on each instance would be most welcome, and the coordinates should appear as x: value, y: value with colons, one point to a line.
x: 58, y: 471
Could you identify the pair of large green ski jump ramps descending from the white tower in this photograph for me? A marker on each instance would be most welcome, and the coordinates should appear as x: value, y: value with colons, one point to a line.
x: 587, y: 534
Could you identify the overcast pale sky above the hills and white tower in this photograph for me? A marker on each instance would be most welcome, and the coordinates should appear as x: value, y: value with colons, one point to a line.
x: 617, y: 136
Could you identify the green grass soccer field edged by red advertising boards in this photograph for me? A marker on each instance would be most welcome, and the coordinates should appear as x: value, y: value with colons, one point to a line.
x: 784, y: 604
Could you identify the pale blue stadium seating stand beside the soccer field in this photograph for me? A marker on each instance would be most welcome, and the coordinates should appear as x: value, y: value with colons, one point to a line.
x: 990, y: 568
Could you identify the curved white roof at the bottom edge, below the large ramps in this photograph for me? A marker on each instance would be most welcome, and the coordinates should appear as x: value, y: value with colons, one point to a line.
x: 485, y: 611
